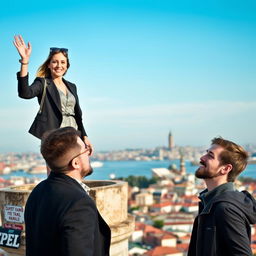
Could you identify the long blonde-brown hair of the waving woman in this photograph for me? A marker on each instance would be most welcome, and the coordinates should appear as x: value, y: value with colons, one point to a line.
x: 43, y: 70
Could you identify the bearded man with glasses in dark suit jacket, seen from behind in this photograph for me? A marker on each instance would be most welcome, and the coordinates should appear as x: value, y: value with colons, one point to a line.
x: 60, y: 217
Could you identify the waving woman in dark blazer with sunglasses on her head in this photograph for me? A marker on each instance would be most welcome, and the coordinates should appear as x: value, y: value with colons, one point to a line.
x: 60, y: 106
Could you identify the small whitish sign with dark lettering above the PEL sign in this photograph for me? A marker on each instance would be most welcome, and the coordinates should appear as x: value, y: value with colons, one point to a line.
x: 14, y: 213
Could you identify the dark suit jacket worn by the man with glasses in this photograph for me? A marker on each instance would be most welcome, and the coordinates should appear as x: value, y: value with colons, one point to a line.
x: 62, y: 220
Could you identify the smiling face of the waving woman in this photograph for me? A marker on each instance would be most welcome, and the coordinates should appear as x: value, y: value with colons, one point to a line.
x: 58, y: 65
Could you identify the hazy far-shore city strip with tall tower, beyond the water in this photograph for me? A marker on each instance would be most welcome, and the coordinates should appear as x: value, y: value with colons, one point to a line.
x: 34, y: 163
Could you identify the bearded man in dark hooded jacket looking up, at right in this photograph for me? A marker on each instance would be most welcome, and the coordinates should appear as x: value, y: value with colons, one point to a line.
x: 222, y: 227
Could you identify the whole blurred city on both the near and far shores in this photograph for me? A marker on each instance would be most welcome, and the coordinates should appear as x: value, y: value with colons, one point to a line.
x: 164, y: 211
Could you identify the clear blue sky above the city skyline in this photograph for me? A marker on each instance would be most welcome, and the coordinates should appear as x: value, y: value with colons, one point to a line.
x: 141, y: 67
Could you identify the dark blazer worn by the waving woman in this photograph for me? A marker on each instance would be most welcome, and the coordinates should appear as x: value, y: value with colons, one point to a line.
x: 51, y: 116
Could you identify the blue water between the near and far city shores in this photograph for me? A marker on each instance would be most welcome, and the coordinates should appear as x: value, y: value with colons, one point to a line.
x: 136, y: 168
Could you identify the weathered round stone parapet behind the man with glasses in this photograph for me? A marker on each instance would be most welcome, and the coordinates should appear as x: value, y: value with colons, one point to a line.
x: 111, y: 200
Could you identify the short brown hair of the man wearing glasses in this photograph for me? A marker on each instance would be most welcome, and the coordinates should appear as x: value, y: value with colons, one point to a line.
x: 56, y: 144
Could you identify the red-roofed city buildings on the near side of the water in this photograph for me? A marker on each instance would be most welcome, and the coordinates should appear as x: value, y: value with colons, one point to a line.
x: 165, y: 211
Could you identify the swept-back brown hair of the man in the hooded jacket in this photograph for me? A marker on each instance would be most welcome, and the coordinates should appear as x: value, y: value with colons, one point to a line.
x: 232, y: 154
